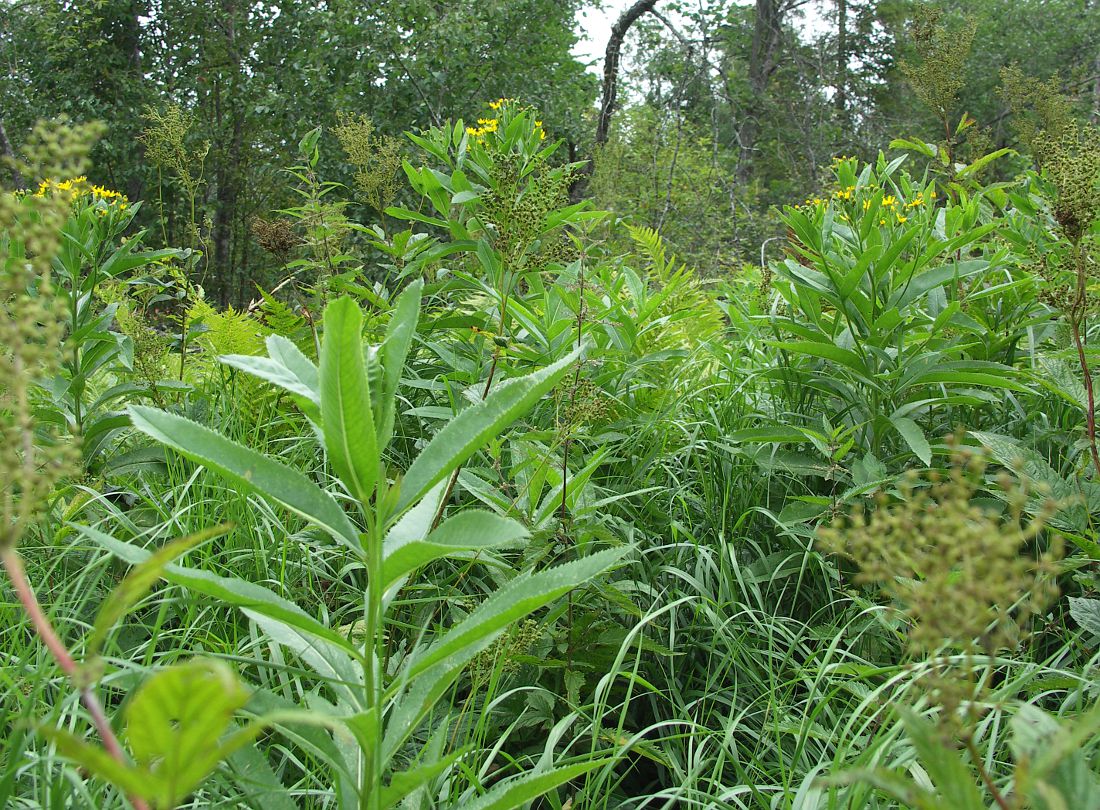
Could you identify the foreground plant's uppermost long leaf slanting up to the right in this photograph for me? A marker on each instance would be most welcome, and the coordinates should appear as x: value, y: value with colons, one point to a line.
x: 472, y: 430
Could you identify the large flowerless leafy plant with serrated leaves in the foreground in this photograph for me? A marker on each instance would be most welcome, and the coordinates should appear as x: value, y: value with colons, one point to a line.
x: 372, y: 695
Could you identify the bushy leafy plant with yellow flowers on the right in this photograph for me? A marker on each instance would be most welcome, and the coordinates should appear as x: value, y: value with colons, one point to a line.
x: 872, y: 320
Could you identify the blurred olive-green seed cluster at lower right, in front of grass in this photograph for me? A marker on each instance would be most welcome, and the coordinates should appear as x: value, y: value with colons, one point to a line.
x: 963, y: 573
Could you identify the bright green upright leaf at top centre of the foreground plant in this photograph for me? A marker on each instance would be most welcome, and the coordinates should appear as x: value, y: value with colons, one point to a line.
x: 347, y: 418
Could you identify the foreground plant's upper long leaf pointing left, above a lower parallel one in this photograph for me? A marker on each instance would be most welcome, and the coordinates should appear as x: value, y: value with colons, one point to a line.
x: 249, y: 470
